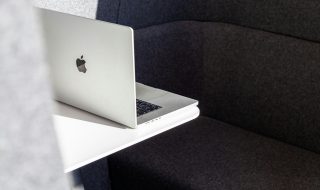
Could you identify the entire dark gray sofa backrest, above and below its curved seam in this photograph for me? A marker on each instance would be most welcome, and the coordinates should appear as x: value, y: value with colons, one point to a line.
x: 252, y: 64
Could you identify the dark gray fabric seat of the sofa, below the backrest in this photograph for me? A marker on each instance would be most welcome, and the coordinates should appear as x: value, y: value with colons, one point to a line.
x: 207, y: 154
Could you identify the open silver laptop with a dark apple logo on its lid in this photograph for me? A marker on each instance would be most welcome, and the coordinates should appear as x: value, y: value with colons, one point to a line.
x: 92, y: 68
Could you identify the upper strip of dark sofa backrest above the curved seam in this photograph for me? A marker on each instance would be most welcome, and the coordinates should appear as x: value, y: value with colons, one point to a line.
x: 289, y: 17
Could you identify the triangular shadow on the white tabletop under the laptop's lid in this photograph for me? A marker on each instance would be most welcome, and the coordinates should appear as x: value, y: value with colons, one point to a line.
x: 65, y: 110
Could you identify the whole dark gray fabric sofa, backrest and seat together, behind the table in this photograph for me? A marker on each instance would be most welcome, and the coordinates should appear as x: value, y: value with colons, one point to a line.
x: 255, y: 68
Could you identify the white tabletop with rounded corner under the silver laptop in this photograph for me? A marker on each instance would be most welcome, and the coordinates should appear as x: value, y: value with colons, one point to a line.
x: 84, y: 138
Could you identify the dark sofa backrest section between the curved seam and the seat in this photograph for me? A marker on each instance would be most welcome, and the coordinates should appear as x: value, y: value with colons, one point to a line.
x: 257, y: 80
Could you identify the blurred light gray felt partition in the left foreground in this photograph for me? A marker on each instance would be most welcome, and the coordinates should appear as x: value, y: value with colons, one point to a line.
x: 29, y: 156
